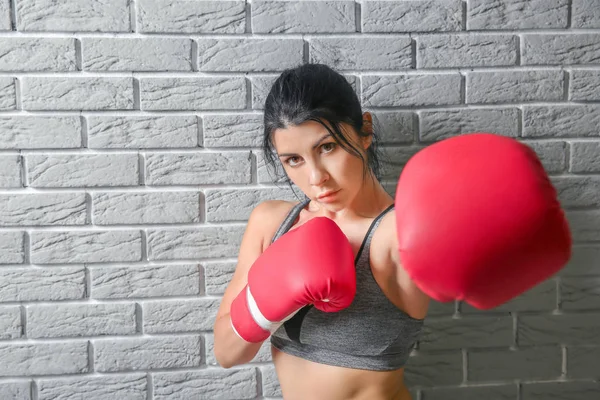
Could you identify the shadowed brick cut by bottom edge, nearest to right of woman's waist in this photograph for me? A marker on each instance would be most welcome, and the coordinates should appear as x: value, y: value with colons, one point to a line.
x: 496, y: 392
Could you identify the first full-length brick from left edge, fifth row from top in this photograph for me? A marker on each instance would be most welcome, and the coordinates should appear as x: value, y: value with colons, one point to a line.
x: 82, y: 170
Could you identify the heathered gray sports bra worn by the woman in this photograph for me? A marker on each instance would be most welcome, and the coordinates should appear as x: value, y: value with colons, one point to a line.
x: 371, y: 334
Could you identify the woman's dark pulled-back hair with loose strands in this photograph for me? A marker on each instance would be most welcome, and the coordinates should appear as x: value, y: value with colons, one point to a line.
x: 315, y: 92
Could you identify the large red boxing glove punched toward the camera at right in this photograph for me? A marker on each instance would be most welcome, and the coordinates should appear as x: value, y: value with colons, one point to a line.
x: 478, y: 220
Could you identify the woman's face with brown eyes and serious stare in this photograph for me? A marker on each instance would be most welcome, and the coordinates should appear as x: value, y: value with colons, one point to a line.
x: 319, y: 166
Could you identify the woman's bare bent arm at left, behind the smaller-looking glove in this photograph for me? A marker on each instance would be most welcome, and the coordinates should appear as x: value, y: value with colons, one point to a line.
x: 229, y: 348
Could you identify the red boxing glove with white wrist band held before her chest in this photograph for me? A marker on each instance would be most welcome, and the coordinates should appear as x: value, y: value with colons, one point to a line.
x: 313, y: 264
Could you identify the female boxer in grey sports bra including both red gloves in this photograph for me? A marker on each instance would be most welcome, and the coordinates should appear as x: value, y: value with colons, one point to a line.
x: 340, y: 282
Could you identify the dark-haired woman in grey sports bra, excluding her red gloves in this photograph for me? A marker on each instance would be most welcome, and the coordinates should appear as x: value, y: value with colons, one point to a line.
x: 326, y: 145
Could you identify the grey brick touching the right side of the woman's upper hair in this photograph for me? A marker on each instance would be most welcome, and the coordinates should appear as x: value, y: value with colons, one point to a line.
x: 411, y: 90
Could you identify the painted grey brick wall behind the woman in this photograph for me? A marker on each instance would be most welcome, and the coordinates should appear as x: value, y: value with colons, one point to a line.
x: 129, y: 162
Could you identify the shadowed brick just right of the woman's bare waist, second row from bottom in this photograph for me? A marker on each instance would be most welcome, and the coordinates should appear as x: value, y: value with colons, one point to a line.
x: 434, y: 368
